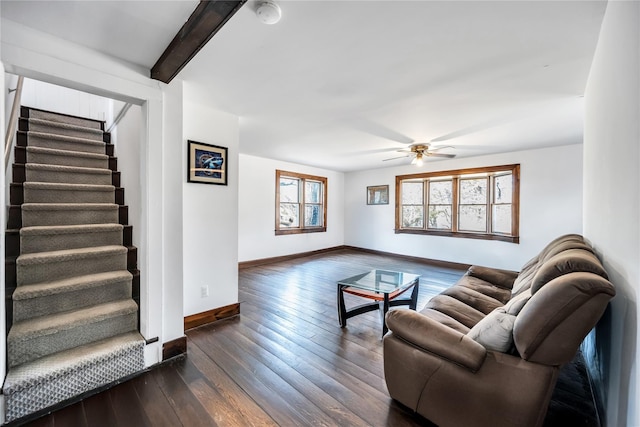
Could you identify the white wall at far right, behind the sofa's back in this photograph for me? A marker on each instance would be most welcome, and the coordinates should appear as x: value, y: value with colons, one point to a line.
x: 612, y: 205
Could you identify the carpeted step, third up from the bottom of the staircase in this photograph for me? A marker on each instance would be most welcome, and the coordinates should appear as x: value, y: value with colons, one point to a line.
x: 41, y: 299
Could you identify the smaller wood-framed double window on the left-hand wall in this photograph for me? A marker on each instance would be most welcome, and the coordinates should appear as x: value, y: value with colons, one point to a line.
x: 301, y: 203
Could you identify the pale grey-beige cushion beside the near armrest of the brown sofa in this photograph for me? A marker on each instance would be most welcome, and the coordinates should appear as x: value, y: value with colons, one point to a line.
x: 495, y: 331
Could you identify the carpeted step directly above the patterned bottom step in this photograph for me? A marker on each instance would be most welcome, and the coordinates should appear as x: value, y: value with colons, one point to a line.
x: 31, y: 339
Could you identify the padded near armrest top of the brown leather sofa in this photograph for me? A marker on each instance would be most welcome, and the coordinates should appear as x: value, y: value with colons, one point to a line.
x: 436, y: 338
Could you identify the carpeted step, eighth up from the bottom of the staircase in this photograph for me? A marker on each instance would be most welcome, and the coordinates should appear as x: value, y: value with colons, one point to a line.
x: 36, y: 172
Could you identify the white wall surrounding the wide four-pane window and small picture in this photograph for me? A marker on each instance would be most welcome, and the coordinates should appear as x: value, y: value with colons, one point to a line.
x: 550, y: 205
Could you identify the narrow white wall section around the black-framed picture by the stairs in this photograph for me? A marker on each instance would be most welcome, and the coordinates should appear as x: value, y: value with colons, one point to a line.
x: 210, y: 212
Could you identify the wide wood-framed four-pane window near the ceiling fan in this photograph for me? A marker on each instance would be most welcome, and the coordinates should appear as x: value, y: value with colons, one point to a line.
x: 477, y: 203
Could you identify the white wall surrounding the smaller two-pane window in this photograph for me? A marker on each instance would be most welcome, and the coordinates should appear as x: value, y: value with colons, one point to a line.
x: 256, y: 231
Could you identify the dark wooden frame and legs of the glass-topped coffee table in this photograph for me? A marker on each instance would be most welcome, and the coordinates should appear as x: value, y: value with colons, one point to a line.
x: 382, y: 301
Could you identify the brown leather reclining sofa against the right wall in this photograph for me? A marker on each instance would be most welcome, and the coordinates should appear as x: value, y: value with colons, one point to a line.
x: 486, y: 352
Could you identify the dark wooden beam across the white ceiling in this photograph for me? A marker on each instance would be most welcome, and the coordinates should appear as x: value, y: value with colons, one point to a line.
x: 205, y: 21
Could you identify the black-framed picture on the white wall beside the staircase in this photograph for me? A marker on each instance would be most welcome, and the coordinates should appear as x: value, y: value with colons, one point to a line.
x: 207, y: 164
